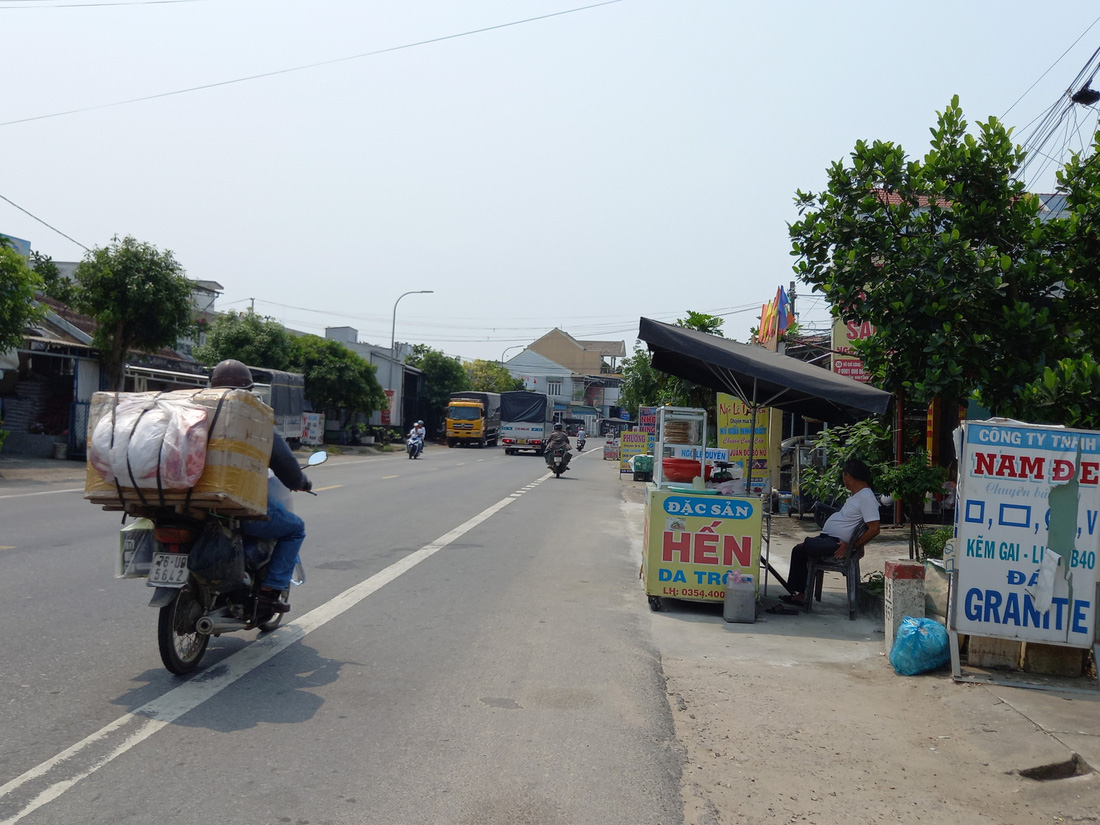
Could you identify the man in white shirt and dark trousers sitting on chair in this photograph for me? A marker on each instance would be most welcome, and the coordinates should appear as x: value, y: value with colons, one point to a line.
x: 862, y: 505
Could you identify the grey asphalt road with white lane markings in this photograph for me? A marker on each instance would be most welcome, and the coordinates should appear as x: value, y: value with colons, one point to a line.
x: 470, y: 647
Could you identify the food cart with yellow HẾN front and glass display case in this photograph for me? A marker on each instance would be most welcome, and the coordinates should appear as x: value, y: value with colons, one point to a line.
x: 695, y: 536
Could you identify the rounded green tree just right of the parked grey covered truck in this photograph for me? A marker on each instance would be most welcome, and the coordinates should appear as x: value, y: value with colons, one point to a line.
x: 336, y: 378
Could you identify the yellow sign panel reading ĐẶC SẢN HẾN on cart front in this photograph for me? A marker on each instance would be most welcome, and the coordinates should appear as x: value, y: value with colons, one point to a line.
x: 692, y: 542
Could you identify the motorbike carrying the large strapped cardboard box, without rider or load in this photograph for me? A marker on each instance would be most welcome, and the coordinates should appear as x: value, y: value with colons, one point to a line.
x: 194, y: 608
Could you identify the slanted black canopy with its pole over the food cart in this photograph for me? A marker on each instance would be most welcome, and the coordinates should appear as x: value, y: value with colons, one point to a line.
x: 760, y: 379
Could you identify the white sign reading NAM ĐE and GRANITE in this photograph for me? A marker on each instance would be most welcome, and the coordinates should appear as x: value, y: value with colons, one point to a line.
x: 1028, y: 533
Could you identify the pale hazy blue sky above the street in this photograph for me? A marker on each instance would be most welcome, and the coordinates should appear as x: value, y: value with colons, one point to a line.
x: 534, y: 163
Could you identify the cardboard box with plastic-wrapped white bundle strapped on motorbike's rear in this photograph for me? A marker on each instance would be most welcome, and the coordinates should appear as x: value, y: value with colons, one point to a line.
x: 205, y: 449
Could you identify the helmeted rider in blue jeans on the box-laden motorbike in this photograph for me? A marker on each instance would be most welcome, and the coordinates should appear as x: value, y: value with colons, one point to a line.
x: 285, y: 529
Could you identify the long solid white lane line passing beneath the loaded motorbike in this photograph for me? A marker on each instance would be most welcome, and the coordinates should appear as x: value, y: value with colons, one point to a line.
x: 156, y: 716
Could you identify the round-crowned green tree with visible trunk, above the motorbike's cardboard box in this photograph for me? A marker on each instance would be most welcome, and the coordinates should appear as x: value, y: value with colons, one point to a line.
x: 140, y: 300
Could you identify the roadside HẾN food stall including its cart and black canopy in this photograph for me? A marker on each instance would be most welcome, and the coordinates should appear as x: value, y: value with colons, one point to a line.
x: 699, y: 535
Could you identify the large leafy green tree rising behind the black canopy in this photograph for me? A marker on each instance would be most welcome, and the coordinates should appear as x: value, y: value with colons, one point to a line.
x: 947, y: 257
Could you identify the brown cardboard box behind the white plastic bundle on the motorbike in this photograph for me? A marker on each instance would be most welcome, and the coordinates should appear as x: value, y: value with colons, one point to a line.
x: 234, y: 480
